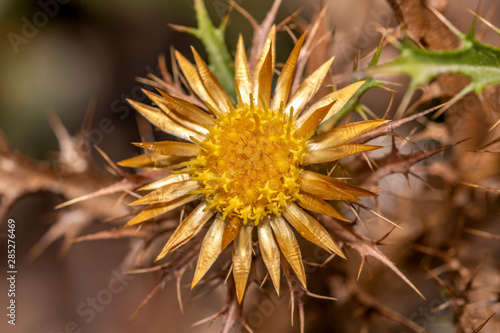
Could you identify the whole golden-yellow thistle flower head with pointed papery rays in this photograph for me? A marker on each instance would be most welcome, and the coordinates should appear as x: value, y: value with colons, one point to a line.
x: 244, y: 162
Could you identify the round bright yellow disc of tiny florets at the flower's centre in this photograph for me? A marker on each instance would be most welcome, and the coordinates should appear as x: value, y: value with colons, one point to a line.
x: 248, y: 165
